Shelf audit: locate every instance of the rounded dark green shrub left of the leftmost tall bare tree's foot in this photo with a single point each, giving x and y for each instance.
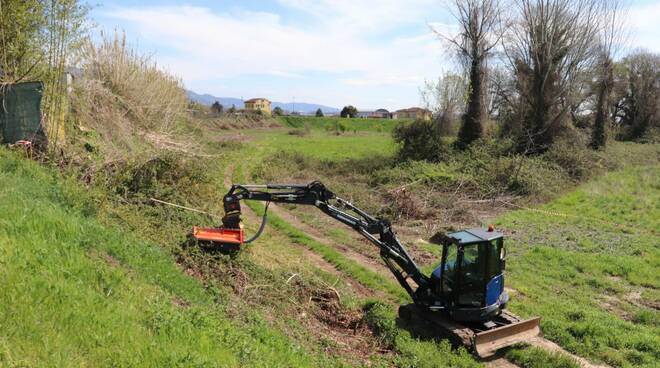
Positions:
(420, 140)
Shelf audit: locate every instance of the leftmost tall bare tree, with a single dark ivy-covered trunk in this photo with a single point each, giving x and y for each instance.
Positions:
(480, 30)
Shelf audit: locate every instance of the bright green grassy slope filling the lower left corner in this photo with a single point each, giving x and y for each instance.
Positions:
(75, 293)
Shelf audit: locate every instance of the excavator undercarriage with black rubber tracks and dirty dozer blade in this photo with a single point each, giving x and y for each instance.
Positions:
(483, 339)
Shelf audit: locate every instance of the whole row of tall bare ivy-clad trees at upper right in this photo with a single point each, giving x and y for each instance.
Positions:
(538, 70)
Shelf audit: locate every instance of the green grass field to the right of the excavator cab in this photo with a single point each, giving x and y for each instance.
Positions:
(588, 264)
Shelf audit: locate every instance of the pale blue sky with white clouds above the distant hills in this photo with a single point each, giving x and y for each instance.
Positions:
(368, 53)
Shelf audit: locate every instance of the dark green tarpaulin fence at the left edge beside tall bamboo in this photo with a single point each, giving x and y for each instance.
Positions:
(20, 112)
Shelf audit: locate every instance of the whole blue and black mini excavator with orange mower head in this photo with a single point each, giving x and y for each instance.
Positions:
(464, 297)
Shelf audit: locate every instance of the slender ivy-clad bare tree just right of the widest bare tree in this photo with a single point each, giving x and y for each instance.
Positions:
(610, 40)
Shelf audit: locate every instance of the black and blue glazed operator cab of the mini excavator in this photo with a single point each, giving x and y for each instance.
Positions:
(470, 277)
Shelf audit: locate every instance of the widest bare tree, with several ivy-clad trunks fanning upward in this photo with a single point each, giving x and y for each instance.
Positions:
(549, 47)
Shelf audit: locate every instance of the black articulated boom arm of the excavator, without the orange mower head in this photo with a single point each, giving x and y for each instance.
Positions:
(377, 231)
